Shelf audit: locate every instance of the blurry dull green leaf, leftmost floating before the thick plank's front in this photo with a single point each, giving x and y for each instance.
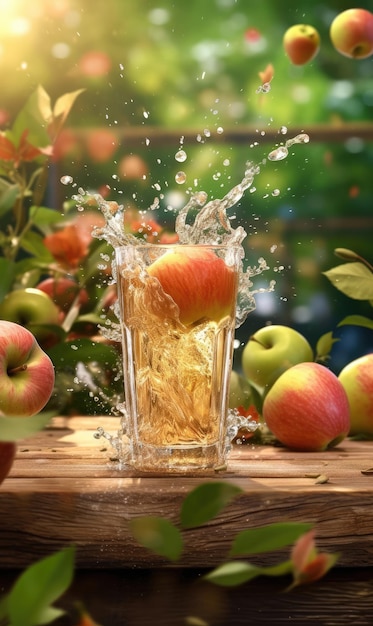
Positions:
(158, 535)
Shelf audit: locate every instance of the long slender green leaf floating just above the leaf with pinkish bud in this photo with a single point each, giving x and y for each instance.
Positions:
(267, 538)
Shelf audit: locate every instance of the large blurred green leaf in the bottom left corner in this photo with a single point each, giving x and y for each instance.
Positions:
(38, 587)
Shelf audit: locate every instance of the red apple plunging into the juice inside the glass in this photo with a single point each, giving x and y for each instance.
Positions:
(201, 284)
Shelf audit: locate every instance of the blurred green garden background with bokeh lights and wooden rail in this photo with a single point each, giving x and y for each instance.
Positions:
(163, 75)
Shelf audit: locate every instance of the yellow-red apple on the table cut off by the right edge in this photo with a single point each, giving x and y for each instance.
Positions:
(357, 380)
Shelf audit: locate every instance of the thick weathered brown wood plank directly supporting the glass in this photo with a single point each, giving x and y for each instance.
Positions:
(63, 489)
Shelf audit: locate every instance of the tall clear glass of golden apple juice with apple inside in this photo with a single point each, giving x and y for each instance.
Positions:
(177, 351)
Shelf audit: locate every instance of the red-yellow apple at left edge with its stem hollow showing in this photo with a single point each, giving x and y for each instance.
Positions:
(26, 372)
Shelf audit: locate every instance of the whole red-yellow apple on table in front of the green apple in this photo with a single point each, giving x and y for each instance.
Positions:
(307, 408)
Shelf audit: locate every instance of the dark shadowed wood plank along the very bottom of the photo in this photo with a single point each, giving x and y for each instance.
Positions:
(174, 597)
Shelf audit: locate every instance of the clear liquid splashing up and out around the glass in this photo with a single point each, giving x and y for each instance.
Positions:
(198, 222)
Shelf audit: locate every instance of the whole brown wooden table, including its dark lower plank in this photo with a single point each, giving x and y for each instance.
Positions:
(64, 489)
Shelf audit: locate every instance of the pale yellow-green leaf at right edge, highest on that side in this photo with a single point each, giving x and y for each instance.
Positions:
(355, 280)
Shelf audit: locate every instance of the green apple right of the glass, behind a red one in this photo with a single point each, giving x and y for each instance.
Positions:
(271, 351)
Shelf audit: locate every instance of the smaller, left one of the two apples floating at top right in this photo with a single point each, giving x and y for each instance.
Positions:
(301, 43)
